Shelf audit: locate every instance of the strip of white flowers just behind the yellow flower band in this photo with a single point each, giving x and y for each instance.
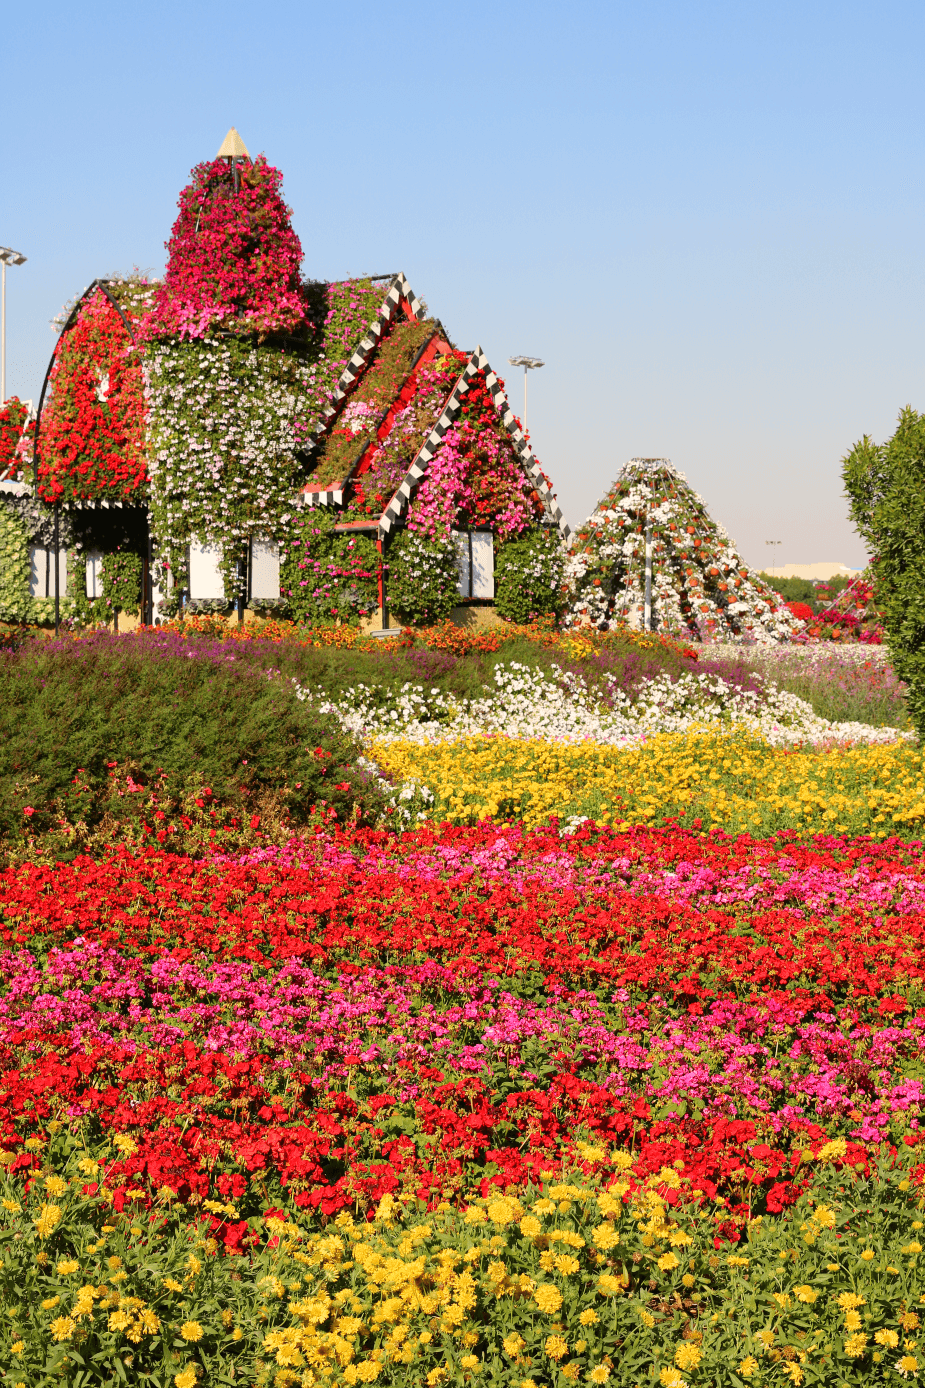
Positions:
(528, 704)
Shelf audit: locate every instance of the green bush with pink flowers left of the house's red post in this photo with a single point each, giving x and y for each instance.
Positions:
(326, 577)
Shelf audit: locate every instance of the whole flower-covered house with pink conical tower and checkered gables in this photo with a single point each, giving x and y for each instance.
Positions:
(237, 435)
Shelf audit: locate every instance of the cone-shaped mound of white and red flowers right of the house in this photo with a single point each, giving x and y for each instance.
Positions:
(652, 546)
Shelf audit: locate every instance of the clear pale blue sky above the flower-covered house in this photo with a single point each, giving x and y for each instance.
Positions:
(708, 219)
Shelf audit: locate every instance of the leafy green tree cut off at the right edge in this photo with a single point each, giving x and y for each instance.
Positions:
(885, 485)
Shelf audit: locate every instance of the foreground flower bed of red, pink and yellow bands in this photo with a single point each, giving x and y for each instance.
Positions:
(691, 1067)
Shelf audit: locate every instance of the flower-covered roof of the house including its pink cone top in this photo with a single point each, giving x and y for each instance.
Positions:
(367, 388)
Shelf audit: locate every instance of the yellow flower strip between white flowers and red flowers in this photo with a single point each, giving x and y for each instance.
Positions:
(734, 782)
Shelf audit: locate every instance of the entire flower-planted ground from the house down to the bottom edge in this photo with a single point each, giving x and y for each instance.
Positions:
(527, 1104)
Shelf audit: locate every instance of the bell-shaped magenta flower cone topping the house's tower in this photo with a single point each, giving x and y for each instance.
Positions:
(234, 257)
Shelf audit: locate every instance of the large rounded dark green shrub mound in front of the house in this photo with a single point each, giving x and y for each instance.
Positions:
(192, 716)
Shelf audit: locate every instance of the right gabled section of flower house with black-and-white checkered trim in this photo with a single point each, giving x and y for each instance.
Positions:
(420, 455)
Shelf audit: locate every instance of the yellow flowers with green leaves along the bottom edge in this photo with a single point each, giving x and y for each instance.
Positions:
(569, 1283)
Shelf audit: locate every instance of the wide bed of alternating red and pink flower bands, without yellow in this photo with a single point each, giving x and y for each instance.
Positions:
(458, 1008)
